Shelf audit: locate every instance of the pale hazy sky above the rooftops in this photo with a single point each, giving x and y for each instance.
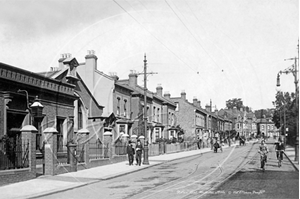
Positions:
(211, 49)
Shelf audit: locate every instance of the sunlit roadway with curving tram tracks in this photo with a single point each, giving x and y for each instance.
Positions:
(184, 178)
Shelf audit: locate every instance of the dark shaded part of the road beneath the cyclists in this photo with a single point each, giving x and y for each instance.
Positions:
(251, 182)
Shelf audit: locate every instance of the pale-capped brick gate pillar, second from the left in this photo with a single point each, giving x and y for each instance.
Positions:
(50, 153)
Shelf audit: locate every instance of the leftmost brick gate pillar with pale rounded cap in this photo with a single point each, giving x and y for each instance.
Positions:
(28, 134)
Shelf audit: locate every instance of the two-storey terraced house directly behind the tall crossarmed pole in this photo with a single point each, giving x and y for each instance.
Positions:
(160, 111)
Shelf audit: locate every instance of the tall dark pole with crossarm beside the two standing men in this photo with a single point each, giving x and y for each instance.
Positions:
(145, 73)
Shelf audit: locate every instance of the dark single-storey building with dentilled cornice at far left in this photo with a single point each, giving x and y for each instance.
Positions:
(56, 97)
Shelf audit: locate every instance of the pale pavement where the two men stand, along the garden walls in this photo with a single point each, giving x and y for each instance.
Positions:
(46, 185)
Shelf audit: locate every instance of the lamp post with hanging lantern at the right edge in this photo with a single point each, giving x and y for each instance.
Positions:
(293, 69)
